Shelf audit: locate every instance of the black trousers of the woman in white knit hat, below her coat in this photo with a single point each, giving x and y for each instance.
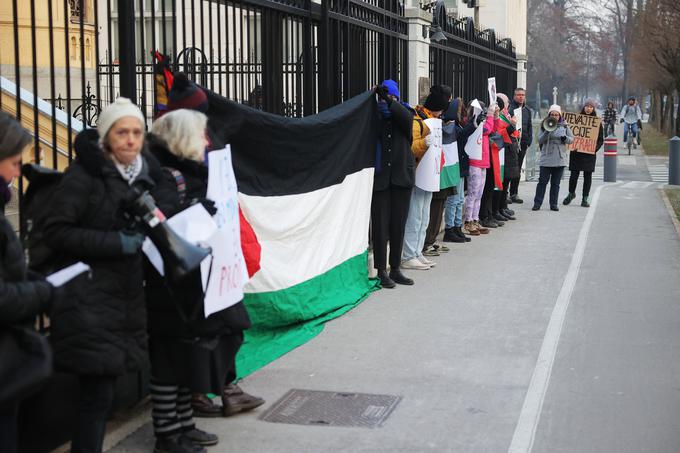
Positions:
(96, 399)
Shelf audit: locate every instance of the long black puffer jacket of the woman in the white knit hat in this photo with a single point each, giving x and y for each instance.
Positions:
(100, 328)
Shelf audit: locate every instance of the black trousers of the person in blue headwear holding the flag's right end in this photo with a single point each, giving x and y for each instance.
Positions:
(389, 211)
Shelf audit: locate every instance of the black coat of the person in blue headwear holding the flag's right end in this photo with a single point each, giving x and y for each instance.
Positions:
(395, 164)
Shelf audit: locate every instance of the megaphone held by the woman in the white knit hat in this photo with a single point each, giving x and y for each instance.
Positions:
(180, 258)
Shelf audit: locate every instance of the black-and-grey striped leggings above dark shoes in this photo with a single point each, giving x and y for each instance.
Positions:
(171, 413)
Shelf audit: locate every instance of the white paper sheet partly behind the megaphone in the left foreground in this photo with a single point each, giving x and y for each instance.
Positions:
(194, 225)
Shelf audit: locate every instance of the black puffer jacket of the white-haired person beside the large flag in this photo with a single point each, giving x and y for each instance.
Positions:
(164, 318)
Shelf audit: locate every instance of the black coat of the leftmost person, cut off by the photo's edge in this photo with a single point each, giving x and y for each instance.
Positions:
(20, 299)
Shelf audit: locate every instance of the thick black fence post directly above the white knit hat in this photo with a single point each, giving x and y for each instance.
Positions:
(126, 49)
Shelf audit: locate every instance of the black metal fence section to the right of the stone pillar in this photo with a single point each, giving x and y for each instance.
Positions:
(469, 57)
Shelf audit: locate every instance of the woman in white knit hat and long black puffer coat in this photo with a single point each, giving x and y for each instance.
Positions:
(99, 331)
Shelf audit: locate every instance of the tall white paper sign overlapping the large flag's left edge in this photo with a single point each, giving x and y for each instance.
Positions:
(228, 272)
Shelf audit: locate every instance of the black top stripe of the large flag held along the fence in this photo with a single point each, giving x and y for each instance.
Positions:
(275, 155)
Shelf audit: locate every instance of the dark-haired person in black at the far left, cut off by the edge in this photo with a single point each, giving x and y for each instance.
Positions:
(22, 296)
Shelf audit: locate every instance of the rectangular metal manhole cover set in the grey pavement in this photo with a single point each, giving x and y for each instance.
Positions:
(311, 407)
